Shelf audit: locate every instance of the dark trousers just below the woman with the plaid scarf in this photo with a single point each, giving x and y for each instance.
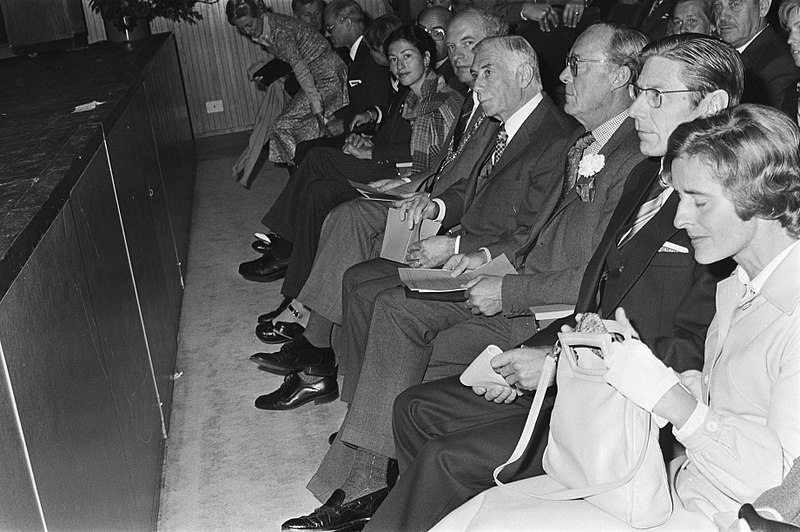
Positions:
(317, 186)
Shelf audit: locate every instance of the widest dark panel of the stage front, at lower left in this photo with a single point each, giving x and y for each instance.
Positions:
(61, 386)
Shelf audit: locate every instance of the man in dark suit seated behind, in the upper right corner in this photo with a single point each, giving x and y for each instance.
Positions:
(771, 75)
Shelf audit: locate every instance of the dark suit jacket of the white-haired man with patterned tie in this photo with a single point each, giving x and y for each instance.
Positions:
(499, 213)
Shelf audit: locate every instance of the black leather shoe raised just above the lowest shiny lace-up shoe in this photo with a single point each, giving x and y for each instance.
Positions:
(298, 354)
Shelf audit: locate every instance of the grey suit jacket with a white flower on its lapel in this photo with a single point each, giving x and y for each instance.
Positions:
(561, 242)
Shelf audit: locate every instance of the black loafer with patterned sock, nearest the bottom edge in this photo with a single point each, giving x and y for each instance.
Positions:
(333, 516)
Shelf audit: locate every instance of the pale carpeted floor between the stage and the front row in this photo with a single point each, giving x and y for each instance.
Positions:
(230, 466)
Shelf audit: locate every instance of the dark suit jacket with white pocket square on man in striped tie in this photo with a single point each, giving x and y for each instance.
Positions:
(668, 296)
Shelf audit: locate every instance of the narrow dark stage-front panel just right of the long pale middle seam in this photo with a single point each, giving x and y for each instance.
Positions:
(148, 234)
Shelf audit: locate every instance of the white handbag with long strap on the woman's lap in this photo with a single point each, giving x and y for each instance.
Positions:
(601, 446)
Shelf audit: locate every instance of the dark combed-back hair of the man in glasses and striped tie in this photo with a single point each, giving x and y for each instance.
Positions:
(707, 64)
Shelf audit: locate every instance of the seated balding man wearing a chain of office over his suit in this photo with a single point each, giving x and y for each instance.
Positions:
(353, 232)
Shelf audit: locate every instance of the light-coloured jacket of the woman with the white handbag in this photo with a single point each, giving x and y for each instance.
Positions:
(751, 383)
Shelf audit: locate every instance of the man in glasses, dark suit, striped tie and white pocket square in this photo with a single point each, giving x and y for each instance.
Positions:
(449, 439)
